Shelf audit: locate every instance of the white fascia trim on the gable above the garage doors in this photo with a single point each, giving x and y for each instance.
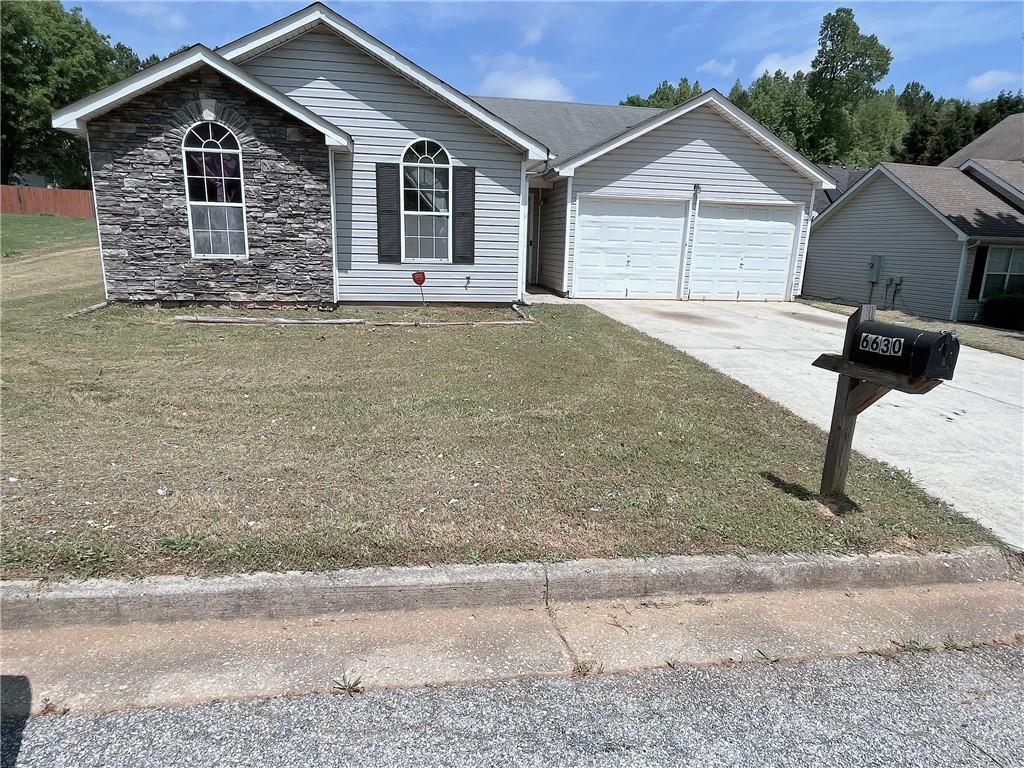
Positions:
(728, 110)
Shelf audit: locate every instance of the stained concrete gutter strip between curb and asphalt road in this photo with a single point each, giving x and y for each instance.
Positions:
(102, 668)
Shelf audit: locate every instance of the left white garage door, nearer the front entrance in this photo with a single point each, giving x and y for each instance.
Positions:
(629, 249)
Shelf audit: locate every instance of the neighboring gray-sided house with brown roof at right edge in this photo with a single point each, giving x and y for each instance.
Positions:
(933, 241)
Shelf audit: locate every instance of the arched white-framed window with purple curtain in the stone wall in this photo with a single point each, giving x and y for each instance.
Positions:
(217, 204)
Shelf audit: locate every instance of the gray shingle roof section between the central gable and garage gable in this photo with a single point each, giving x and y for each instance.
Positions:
(568, 127)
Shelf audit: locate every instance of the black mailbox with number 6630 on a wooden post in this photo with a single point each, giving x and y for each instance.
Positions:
(919, 355)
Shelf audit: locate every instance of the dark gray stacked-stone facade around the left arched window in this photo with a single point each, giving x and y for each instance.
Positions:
(142, 208)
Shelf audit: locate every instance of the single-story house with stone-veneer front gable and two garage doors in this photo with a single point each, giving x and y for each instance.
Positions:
(310, 162)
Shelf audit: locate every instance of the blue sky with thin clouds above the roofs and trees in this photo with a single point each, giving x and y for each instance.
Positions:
(601, 53)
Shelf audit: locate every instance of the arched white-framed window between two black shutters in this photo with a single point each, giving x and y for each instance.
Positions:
(426, 195)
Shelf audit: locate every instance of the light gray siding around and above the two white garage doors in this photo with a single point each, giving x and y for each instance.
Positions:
(700, 148)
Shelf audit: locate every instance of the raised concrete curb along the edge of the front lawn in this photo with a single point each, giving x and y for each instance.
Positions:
(31, 606)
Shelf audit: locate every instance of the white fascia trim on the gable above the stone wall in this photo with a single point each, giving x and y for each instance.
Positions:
(74, 117)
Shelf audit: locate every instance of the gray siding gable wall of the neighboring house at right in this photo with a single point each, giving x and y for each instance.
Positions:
(884, 221)
